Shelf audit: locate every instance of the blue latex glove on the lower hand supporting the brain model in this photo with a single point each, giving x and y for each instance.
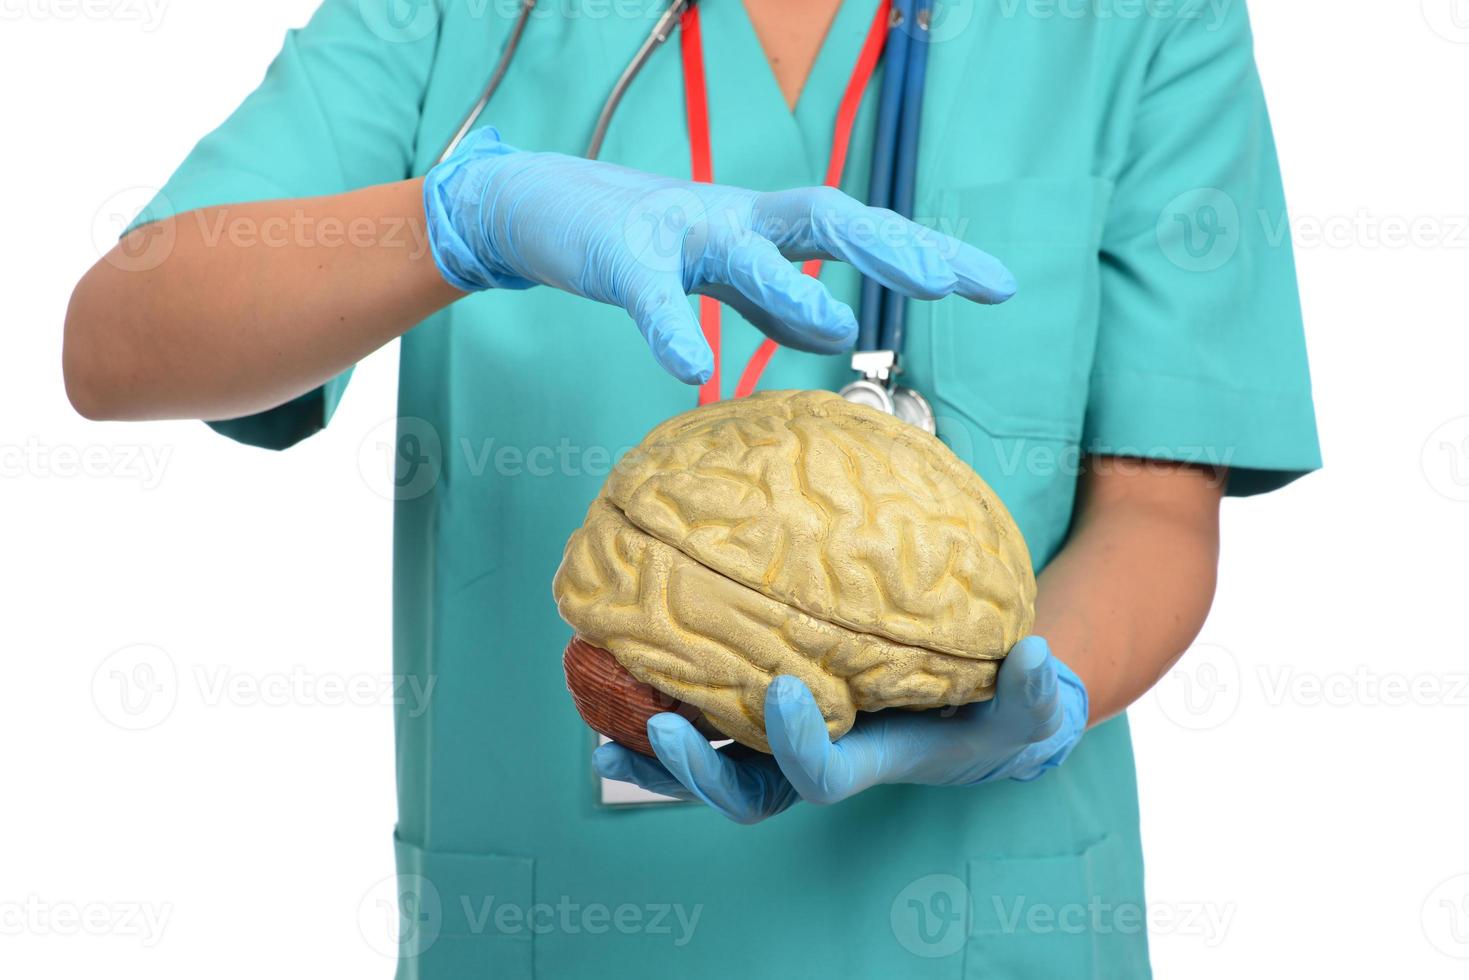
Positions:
(1036, 718)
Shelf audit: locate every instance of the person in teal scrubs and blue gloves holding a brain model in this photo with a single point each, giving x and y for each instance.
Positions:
(1119, 162)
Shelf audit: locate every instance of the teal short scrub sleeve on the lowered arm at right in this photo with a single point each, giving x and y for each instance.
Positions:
(1201, 352)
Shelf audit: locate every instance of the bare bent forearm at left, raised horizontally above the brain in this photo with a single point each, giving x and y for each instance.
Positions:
(230, 311)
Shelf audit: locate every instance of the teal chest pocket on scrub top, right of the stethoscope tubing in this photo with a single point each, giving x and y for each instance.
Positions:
(1022, 370)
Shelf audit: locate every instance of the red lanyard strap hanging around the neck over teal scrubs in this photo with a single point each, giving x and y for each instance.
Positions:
(697, 102)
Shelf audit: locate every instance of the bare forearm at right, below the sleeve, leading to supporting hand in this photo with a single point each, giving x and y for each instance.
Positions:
(1133, 586)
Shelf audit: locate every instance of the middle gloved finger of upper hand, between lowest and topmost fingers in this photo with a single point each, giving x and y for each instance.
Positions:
(794, 309)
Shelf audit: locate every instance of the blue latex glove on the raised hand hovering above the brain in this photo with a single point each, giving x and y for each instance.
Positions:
(505, 218)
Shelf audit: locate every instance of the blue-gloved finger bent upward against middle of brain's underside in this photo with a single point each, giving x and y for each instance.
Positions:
(820, 771)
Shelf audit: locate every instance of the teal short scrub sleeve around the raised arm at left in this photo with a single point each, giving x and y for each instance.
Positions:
(339, 109)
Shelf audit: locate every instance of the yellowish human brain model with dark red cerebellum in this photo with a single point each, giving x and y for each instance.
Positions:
(788, 534)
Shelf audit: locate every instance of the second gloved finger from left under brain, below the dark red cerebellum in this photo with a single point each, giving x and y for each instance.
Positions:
(746, 791)
